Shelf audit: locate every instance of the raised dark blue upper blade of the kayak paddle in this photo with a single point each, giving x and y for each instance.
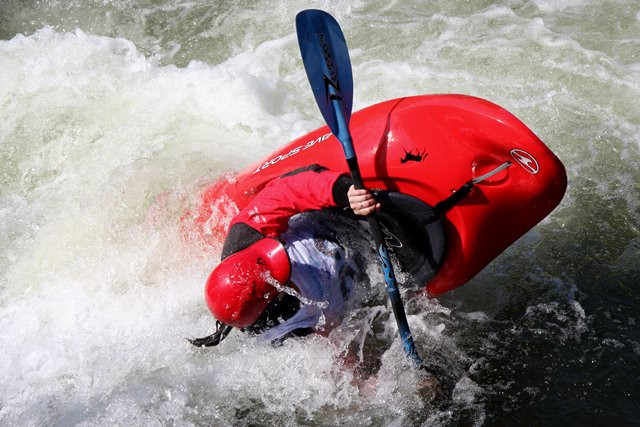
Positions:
(326, 61)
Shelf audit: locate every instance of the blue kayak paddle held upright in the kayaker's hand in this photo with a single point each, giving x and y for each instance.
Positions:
(326, 61)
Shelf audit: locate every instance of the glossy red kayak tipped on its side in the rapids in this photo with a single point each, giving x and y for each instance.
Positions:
(459, 179)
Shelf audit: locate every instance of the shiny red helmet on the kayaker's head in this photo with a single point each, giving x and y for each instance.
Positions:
(237, 290)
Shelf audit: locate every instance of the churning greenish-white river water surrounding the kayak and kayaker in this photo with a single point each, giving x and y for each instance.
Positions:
(114, 113)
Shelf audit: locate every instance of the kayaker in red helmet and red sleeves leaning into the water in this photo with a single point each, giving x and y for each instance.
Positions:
(281, 274)
